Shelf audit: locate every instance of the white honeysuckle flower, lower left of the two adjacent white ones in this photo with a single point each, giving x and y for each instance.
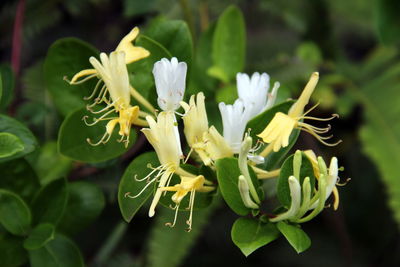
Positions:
(234, 120)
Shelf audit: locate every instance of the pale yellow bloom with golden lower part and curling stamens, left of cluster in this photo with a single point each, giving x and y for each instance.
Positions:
(112, 71)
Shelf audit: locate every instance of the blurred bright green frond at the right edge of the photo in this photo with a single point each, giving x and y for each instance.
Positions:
(380, 134)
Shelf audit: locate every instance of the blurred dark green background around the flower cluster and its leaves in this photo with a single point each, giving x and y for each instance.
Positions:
(353, 44)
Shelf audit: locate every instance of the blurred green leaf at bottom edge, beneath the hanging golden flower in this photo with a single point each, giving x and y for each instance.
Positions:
(167, 246)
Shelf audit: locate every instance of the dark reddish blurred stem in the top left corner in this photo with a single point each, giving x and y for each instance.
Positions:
(17, 34)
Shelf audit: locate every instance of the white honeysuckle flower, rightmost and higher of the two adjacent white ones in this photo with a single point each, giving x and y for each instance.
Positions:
(254, 92)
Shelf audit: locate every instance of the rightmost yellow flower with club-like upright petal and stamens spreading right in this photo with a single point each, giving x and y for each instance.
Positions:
(278, 131)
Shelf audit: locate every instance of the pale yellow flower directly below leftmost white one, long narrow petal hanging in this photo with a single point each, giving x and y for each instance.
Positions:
(161, 135)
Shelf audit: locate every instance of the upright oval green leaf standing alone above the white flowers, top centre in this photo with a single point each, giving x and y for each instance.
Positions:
(229, 47)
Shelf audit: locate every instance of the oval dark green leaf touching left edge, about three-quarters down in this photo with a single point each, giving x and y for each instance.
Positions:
(15, 215)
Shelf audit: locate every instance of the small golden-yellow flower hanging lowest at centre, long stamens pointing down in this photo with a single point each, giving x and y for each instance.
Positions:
(187, 185)
